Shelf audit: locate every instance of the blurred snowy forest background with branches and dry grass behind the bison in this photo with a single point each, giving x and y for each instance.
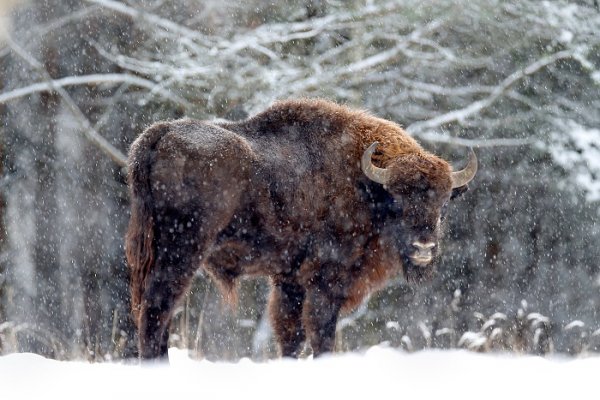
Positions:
(517, 80)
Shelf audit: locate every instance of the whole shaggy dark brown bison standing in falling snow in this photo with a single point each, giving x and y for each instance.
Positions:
(327, 201)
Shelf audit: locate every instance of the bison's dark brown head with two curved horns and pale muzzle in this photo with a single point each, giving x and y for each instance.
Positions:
(420, 186)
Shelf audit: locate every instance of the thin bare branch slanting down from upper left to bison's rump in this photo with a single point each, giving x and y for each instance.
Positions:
(88, 130)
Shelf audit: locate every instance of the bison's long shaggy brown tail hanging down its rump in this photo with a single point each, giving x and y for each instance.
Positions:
(139, 246)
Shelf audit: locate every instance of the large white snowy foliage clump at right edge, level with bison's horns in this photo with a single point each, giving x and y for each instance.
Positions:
(577, 149)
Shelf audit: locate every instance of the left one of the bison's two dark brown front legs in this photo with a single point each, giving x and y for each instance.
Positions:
(285, 308)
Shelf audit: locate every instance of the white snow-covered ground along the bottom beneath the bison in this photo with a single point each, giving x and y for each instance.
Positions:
(376, 374)
